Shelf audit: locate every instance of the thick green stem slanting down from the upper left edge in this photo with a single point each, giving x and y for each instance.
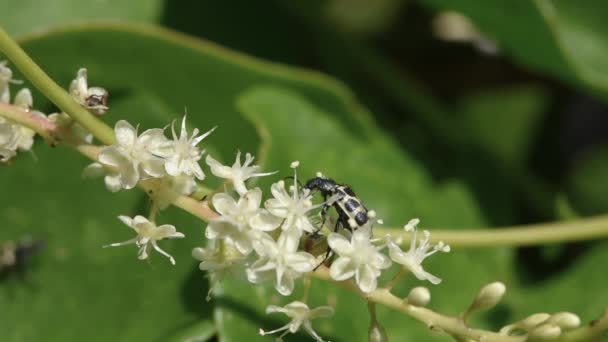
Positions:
(53, 91)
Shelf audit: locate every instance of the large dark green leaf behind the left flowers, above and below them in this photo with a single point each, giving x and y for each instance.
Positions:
(152, 75)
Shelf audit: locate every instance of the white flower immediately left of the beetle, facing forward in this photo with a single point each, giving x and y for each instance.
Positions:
(292, 208)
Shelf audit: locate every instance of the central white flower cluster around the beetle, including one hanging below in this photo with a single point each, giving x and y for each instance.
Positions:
(275, 232)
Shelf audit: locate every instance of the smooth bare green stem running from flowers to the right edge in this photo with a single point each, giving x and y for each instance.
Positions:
(525, 235)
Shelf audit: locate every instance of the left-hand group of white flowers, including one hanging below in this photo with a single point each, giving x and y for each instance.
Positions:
(147, 156)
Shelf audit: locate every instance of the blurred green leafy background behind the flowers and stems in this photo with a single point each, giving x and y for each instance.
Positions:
(467, 114)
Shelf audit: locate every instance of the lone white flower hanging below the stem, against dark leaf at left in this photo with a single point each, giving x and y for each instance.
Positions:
(148, 233)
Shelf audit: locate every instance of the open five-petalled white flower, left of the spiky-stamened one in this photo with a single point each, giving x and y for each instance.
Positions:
(133, 156)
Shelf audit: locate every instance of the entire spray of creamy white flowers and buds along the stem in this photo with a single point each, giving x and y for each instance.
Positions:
(269, 239)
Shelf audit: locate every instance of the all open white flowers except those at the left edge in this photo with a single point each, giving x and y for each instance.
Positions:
(266, 237)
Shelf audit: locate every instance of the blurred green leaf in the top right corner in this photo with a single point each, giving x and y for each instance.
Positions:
(558, 37)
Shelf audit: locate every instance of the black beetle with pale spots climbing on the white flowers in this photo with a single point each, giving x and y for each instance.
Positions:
(352, 214)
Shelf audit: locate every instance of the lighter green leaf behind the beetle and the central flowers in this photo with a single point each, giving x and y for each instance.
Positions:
(388, 180)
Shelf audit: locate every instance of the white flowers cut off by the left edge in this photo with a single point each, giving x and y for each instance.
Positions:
(14, 137)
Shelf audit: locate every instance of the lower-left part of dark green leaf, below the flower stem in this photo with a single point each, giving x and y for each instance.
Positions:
(75, 289)
